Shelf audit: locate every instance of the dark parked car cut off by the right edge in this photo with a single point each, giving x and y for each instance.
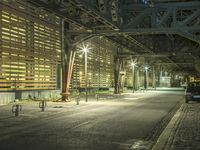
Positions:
(192, 92)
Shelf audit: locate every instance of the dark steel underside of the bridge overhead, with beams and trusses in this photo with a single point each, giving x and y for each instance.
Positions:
(170, 28)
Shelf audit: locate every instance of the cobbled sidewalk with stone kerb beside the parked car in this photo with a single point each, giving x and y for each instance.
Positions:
(183, 131)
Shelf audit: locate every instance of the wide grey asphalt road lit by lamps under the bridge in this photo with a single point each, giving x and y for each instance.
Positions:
(133, 121)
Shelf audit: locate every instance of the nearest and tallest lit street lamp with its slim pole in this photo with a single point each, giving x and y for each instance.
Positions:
(85, 49)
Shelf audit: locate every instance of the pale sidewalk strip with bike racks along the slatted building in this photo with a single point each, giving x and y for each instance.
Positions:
(30, 109)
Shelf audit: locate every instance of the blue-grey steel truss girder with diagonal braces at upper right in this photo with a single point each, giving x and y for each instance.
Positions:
(174, 18)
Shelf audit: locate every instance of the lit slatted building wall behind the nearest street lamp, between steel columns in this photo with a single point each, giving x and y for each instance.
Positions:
(100, 64)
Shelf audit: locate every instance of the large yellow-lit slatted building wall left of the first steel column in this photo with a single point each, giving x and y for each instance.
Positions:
(30, 47)
